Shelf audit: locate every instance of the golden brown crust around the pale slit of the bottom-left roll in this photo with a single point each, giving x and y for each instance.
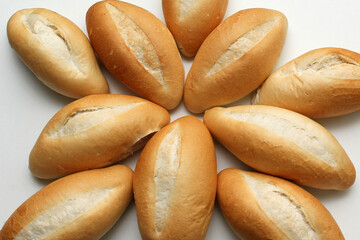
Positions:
(95, 221)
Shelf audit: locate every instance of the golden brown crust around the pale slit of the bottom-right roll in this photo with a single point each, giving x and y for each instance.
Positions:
(248, 219)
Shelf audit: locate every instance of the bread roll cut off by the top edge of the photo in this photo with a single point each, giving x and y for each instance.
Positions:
(191, 21)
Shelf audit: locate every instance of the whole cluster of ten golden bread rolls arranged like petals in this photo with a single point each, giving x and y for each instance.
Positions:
(175, 181)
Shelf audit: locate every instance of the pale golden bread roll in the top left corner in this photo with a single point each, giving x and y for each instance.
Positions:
(57, 52)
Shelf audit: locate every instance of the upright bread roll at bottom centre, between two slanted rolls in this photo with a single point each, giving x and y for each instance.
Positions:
(175, 182)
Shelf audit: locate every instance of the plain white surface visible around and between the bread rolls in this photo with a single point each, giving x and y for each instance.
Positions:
(26, 104)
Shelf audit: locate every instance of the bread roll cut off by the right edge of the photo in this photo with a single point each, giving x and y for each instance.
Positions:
(321, 83)
